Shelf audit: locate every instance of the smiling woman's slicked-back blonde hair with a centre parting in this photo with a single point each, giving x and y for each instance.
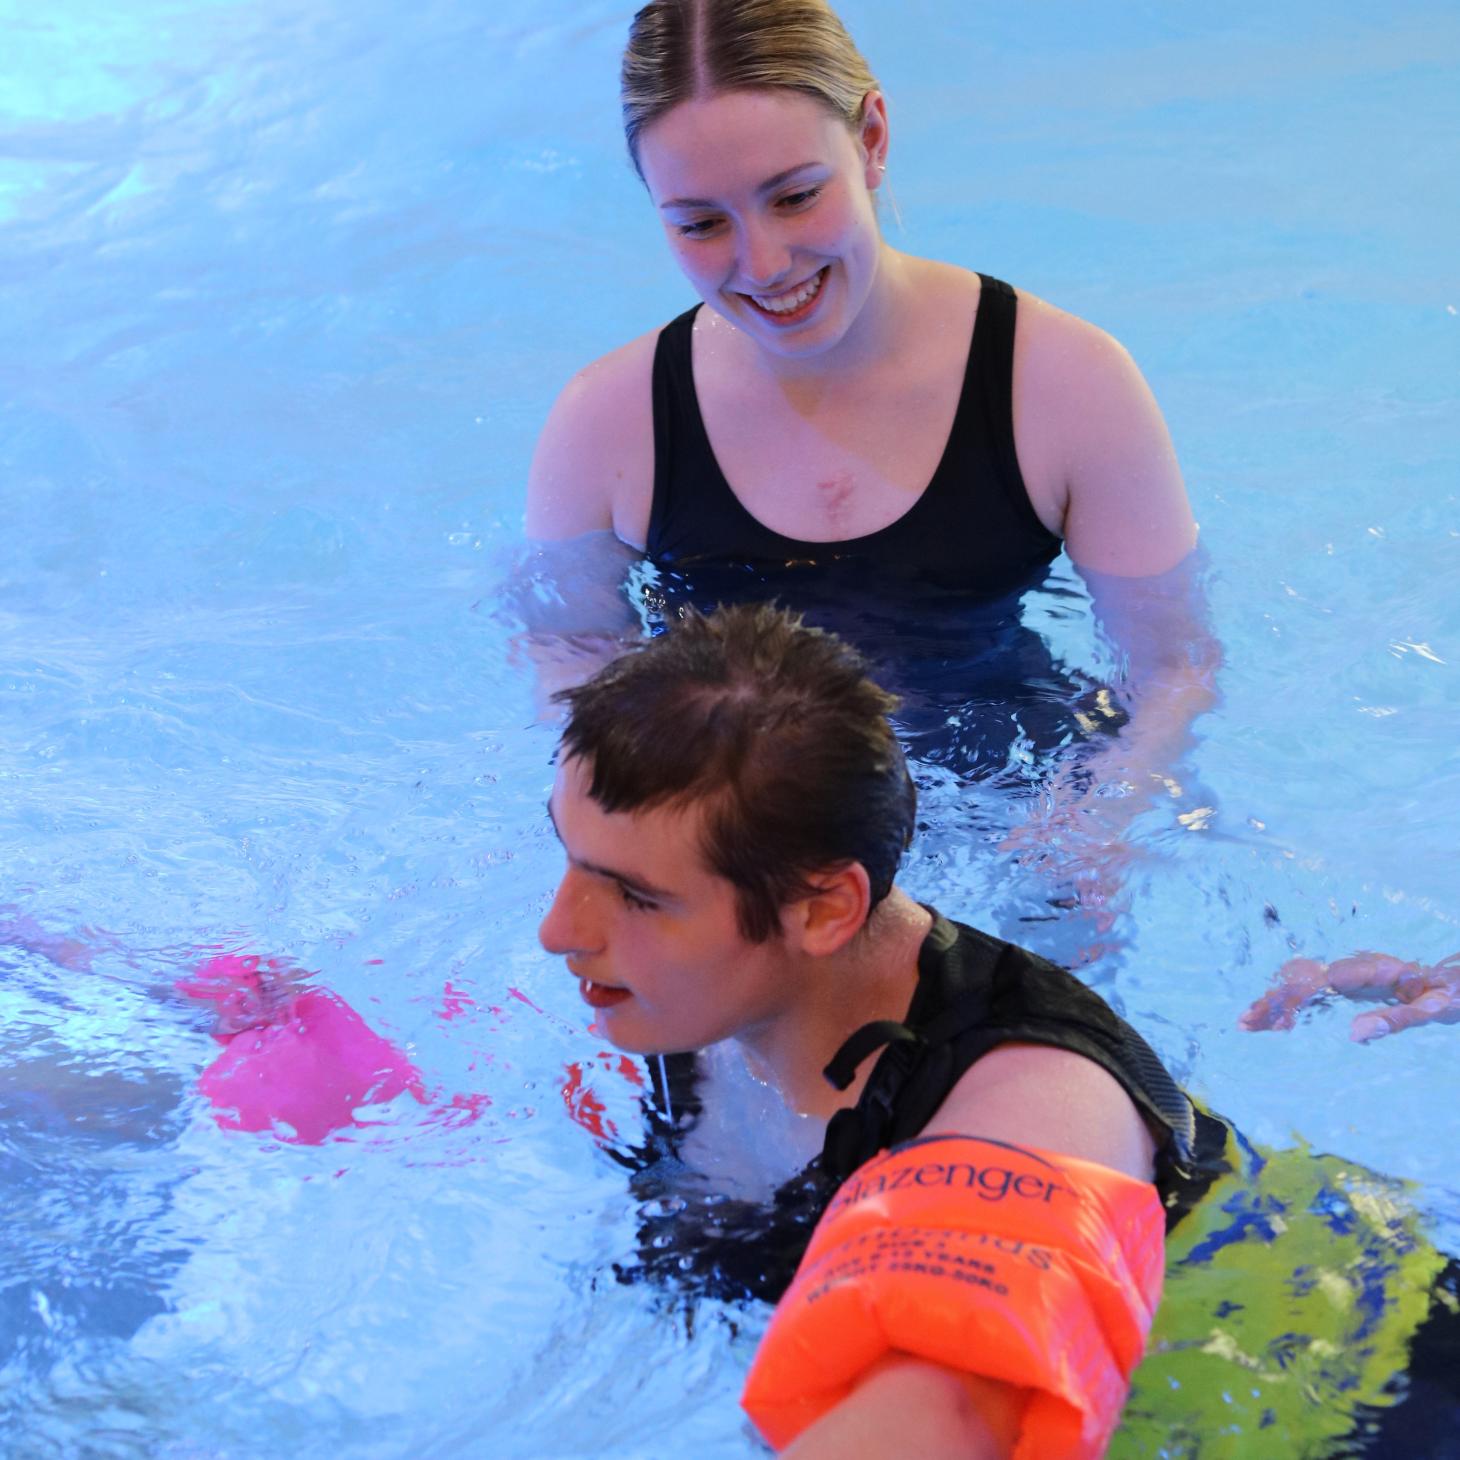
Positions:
(685, 49)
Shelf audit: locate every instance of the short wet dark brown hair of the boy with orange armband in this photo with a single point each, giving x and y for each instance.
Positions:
(776, 729)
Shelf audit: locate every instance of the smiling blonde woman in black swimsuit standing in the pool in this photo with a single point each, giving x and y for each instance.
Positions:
(834, 401)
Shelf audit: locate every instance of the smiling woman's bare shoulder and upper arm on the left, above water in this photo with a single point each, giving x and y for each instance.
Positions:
(593, 468)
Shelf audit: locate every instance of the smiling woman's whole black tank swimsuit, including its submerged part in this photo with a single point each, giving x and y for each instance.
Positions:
(932, 601)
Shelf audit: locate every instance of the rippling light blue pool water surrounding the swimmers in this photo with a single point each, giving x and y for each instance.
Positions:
(285, 293)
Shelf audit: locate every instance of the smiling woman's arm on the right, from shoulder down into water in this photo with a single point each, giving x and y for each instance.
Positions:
(1102, 471)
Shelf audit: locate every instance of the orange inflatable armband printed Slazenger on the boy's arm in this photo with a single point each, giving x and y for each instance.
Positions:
(1021, 1267)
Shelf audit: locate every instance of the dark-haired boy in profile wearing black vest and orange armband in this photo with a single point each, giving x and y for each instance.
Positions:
(734, 805)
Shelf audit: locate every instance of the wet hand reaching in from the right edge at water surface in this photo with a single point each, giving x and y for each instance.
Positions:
(1413, 994)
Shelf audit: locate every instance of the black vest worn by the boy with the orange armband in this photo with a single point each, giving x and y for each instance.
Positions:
(975, 994)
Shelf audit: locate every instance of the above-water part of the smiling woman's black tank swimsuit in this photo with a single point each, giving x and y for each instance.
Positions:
(973, 529)
